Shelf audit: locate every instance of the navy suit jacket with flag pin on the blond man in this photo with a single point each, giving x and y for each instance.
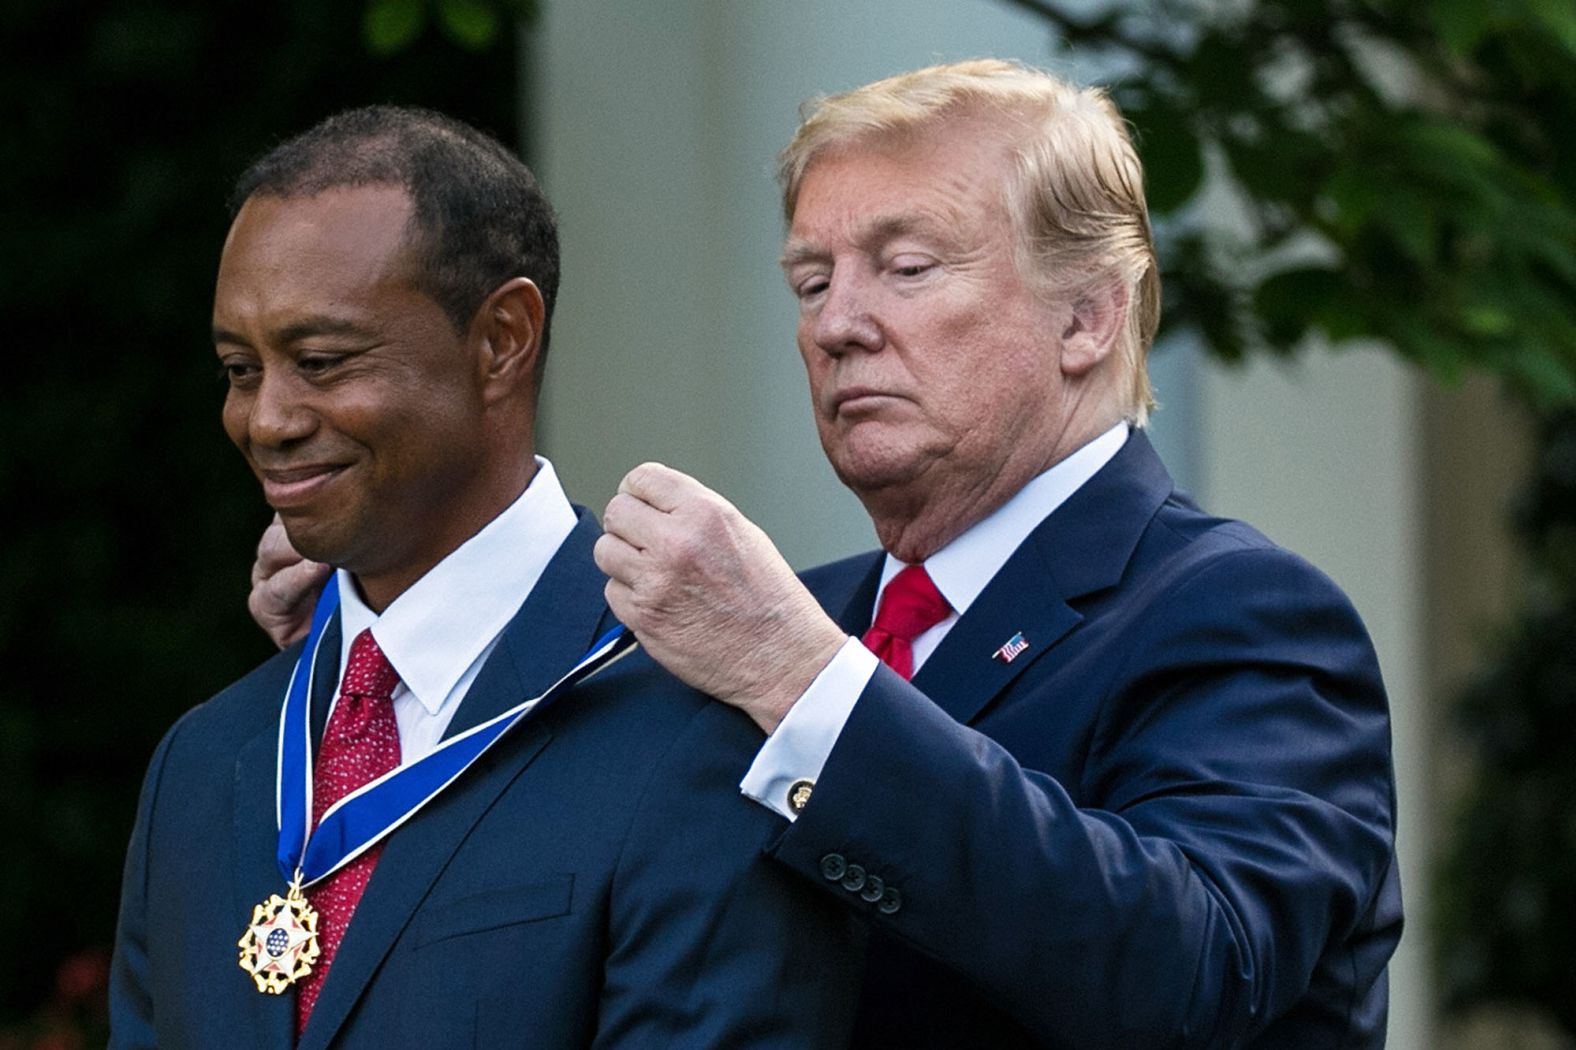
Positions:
(1167, 824)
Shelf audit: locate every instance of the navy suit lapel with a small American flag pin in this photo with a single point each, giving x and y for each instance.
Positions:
(1080, 549)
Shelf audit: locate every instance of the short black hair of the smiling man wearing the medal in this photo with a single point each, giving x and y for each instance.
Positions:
(478, 217)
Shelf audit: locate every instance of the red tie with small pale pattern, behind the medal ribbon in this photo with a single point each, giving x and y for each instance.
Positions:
(360, 745)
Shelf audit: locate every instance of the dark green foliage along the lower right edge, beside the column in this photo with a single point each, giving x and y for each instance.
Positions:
(1507, 903)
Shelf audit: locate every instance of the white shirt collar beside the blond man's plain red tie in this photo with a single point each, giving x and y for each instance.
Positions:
(968, 564)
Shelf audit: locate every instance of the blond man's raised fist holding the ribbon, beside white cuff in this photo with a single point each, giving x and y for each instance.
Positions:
(708, 595)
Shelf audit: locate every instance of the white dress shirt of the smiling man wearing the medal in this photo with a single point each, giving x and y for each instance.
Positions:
(445, 627)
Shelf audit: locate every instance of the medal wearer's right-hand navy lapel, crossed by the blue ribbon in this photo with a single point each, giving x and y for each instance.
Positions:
(552, 631)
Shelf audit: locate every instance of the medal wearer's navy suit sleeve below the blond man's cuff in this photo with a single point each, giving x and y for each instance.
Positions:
(715, 945)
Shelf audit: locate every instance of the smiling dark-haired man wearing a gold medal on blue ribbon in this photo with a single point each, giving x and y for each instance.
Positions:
(428, 860)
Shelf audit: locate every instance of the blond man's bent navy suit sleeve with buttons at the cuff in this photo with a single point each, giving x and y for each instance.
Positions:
(1235, 816)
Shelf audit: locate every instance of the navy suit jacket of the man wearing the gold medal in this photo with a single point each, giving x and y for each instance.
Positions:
(593, 881)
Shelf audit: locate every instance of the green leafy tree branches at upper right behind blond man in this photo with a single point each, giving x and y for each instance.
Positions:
(1403, 171)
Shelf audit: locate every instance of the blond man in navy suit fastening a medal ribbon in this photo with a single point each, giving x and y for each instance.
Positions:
(1121, 775)
